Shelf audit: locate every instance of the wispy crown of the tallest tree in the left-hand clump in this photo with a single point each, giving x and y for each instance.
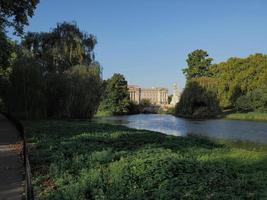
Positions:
(63, 47)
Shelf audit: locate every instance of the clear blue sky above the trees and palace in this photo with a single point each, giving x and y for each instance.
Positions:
(148, 40)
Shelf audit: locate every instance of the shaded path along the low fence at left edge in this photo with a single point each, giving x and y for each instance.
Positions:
(11, 165)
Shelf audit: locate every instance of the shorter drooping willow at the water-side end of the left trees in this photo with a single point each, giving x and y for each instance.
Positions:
(83, 84)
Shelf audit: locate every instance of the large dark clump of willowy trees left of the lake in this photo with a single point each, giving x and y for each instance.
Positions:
(53, 74)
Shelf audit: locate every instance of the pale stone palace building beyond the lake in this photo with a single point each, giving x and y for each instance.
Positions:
(157, 95)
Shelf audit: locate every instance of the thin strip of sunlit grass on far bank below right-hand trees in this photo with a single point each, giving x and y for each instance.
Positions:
(248, 116)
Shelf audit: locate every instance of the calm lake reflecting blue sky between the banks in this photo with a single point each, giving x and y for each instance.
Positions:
(219, 128)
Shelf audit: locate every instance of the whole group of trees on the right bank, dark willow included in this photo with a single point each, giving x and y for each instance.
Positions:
(239, 85)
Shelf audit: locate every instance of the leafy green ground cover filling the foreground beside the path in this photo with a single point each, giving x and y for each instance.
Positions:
(83, 160)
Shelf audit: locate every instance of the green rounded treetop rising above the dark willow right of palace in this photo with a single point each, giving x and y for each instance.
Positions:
(198, 64)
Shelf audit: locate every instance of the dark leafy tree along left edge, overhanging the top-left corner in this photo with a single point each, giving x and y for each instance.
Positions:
(13, 14)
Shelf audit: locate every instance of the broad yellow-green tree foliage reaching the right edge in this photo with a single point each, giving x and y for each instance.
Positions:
(240, 76)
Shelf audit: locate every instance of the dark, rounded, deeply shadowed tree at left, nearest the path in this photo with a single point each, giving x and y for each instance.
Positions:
(25, 93)
